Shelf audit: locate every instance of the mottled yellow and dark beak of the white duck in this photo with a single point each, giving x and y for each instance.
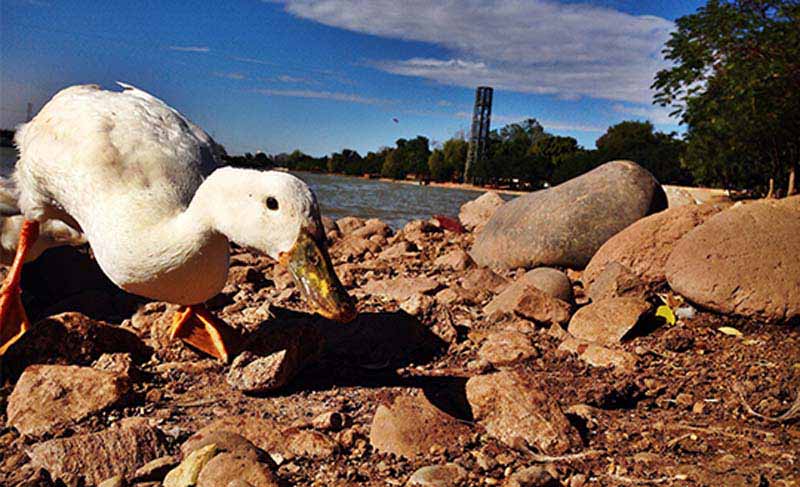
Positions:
(310, 265)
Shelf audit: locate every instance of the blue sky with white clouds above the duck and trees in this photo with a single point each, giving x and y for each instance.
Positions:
(320, 75)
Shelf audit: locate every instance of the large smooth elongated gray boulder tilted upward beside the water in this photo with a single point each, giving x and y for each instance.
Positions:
(566, 224)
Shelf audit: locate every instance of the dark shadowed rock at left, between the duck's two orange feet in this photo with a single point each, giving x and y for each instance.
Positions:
(71, 338)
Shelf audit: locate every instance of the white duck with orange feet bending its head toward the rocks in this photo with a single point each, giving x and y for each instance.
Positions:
(143, 185)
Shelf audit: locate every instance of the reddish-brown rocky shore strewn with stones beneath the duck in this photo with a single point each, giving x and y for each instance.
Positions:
(453, 374)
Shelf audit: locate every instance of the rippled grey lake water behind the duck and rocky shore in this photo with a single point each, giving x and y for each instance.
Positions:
(394, 203)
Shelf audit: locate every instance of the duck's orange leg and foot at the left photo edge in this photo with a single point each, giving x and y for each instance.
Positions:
(13, 320)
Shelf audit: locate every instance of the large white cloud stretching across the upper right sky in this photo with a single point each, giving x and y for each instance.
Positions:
(531, 46)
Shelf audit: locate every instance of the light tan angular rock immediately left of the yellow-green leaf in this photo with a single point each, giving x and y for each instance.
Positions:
(609, 321)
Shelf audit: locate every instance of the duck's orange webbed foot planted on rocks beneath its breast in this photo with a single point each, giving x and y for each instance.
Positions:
(200, 328)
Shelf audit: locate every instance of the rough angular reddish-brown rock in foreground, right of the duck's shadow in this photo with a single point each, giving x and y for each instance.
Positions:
(512, 408)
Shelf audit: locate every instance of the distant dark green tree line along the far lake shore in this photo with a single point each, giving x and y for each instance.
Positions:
(521, 155)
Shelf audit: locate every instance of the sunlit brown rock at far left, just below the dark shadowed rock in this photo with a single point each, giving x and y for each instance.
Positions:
(48, 397)
